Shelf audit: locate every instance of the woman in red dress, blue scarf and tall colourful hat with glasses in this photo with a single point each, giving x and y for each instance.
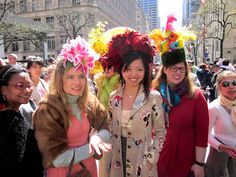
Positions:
(186, 113)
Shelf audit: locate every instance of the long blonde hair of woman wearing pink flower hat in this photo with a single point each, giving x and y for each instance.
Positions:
(56, 87)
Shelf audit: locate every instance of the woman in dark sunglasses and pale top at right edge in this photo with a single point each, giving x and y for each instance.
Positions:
(222, 128)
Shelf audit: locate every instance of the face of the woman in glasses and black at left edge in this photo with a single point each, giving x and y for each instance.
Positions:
(19, 89)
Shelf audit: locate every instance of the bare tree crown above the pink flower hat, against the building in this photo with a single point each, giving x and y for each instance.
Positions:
(72, 22)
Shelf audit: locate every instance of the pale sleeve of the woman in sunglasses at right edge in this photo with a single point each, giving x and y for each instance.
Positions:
(212, 120)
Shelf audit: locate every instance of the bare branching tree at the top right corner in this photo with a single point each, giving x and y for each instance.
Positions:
(218, 16)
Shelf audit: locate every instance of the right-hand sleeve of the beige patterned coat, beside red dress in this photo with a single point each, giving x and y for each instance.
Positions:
(159, 130)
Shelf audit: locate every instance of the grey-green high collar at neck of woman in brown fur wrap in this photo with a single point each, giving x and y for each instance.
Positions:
(73, 104)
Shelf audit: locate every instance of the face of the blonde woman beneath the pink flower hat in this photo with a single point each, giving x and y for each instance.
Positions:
(74, 82)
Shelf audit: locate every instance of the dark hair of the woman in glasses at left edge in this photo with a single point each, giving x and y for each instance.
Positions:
(6, 74)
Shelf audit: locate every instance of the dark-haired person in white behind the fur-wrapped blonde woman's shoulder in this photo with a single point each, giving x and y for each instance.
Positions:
(34, 67)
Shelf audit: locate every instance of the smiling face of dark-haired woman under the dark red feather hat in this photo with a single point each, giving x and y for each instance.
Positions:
(134, 73)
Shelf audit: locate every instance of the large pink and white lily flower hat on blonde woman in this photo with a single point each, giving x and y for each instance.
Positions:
(78, 53)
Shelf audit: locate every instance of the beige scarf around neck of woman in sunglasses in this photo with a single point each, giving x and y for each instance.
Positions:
(230, 105)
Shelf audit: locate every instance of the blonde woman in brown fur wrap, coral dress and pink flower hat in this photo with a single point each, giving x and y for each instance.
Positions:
(70, 123)
